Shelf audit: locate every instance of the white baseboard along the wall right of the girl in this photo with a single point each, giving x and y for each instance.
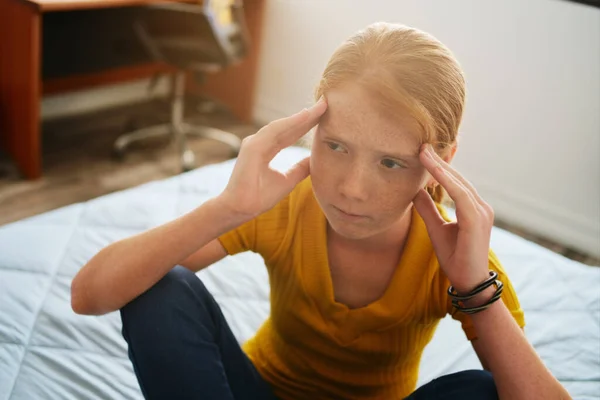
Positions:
(543, 218)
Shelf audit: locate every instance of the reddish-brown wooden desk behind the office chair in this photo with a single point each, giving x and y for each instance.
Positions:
(21, 86)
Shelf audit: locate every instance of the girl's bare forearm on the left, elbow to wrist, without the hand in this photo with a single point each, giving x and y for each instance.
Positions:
(125, 269)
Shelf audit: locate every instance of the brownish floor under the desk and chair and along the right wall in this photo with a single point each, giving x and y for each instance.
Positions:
(78, 165)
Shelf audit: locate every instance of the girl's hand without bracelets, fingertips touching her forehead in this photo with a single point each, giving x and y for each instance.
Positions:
(254, 187)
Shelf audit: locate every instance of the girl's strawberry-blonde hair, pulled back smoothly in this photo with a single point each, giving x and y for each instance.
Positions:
(408, 71)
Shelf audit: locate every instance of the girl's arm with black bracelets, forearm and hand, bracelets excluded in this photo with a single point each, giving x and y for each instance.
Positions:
(462, 249)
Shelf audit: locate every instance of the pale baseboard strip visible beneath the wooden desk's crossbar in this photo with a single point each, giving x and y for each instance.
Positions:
(90, 100)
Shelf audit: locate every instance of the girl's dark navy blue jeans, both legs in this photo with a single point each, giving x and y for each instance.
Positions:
(181, 347)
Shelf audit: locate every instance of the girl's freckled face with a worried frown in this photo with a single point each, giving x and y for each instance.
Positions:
(365, 168)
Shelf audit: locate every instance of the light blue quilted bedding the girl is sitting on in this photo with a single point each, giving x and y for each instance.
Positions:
(49, 352)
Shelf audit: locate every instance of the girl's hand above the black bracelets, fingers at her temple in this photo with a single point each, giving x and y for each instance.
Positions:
(462, 247)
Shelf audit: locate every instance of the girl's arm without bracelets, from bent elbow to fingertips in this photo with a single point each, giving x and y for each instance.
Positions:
(127, 268)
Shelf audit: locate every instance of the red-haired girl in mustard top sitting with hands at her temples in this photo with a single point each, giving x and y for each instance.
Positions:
(362, 260)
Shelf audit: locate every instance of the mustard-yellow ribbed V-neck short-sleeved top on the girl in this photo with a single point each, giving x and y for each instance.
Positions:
(312, 347)
